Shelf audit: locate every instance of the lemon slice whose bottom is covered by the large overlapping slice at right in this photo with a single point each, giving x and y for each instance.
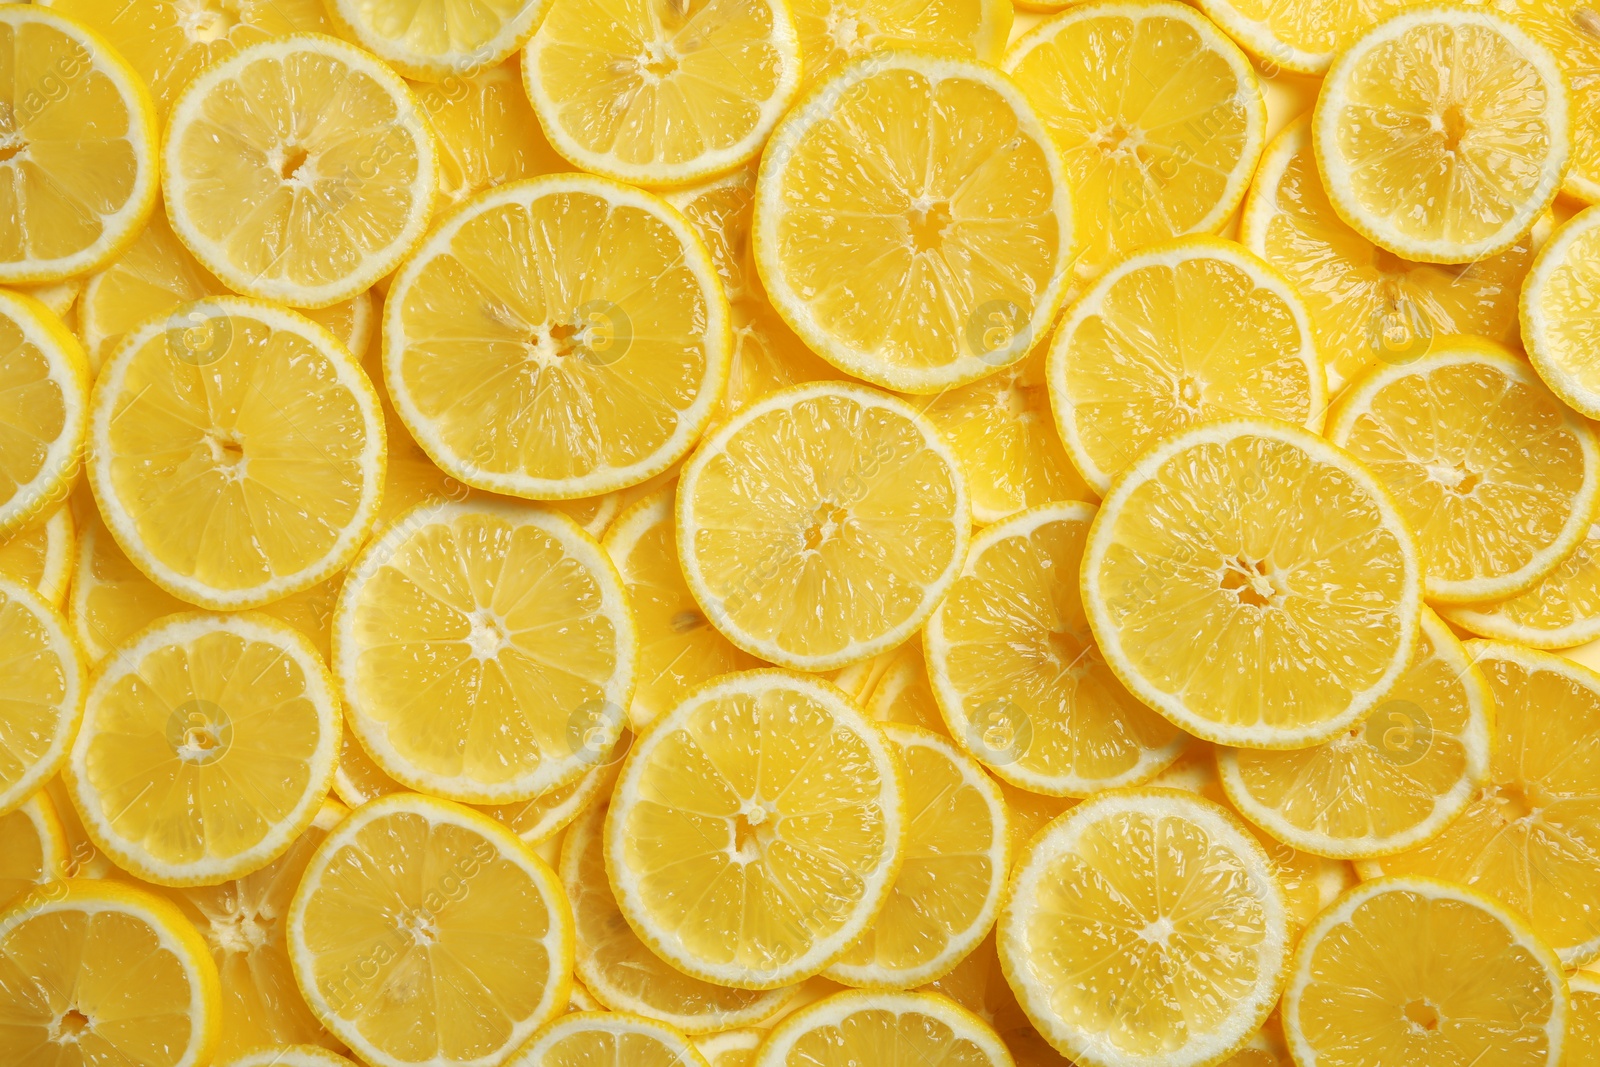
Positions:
(1188, 332)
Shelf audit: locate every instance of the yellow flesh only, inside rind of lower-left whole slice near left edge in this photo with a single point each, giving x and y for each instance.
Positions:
(182, 810)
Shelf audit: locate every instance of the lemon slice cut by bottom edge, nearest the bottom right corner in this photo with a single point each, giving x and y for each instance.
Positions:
(1409, 970)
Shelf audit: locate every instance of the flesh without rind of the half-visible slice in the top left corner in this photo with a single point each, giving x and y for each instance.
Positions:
(78, 161)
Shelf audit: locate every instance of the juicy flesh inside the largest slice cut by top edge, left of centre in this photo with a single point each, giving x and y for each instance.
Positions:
(660, 82)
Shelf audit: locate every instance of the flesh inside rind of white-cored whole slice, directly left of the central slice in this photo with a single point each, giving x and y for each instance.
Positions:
(420, 623)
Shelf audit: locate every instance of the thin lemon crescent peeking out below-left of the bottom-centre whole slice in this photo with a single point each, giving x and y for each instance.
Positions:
(623, 973)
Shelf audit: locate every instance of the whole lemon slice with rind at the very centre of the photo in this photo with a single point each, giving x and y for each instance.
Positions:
(822, 526)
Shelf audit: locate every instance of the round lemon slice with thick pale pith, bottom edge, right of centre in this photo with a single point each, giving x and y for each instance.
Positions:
(1145, 927)
